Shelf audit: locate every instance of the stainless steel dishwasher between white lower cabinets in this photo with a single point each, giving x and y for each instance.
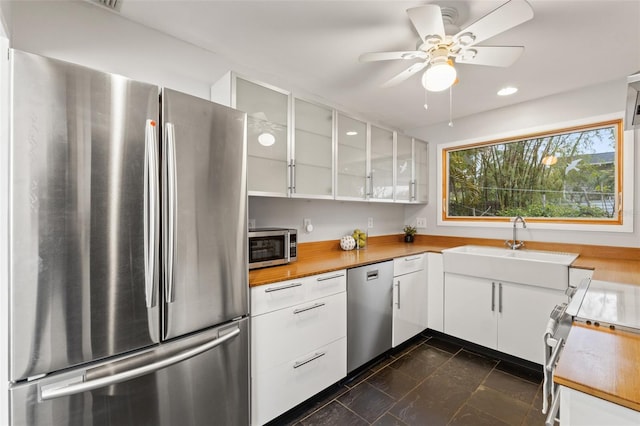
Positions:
(369, 312)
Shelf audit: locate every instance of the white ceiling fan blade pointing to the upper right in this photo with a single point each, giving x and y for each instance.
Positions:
(509, 15)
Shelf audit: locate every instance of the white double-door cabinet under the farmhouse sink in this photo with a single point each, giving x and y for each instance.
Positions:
(508, 317)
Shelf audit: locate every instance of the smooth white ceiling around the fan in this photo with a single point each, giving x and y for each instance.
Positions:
(316, 44)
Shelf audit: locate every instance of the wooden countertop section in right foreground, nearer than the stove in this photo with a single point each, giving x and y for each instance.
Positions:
(602, 363)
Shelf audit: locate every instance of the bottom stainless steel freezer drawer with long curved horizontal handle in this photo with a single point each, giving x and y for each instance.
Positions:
(209, 388)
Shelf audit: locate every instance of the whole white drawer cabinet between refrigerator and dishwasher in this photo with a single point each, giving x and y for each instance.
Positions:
(298, 342)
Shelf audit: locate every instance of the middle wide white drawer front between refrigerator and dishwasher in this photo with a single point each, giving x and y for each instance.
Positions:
(292, 332)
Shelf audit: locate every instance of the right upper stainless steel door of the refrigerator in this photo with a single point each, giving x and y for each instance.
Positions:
(204, 213)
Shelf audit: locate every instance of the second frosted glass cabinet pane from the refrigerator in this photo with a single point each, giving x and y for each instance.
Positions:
(313, 153)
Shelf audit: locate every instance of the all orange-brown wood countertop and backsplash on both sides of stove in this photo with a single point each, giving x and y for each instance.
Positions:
(601, 363)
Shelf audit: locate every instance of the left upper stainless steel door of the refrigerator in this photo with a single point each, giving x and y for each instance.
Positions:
(78, 198)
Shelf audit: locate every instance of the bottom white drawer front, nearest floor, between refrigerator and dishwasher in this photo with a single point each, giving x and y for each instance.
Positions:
(283, 387)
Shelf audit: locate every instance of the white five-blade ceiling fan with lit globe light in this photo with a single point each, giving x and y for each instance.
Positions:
(442, 43)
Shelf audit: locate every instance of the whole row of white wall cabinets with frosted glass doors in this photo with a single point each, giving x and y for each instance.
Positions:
(297, 148)
